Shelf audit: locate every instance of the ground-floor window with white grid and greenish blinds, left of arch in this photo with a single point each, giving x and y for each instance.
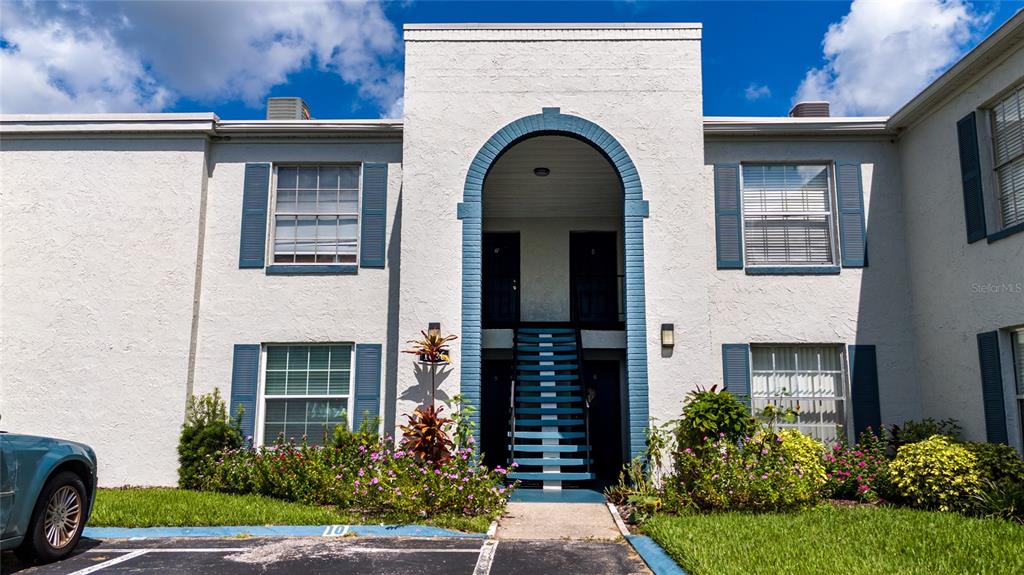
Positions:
(306, 391)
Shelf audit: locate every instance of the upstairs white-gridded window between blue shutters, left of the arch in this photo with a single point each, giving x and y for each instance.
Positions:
(316, 218)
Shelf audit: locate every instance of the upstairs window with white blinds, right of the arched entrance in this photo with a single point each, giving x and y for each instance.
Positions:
(788, 215)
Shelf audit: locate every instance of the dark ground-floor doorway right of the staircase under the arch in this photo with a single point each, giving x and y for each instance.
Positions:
(606, 419)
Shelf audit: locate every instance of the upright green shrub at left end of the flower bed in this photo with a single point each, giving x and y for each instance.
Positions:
(207, 432)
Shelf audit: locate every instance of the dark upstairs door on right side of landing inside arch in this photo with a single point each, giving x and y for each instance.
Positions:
(594, 280)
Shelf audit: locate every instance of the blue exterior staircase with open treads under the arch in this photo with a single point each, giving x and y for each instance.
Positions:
(549, 437)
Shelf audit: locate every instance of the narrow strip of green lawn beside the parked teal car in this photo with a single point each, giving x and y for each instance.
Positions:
(161, 507)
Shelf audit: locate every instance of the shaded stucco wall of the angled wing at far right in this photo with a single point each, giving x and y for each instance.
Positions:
(958, 290)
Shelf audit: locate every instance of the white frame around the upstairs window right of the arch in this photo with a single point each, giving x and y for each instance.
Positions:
(834, 242)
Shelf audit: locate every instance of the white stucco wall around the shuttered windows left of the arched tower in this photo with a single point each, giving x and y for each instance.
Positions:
(247, 306)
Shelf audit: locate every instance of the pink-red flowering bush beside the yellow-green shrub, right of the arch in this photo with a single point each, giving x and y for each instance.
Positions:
(859, 473)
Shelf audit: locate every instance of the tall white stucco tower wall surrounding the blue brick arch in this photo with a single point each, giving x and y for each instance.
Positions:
(644, 86)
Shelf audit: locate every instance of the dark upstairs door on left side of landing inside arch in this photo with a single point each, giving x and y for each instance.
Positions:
(501, 280)
